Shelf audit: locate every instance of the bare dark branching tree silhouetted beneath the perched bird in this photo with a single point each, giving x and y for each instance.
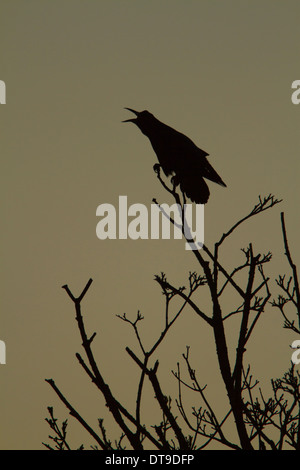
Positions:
(256, 419)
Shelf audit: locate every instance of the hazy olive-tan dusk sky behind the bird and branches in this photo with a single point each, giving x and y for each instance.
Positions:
(218, 71)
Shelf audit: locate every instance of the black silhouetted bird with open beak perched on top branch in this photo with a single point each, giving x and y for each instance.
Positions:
(178, 156)
